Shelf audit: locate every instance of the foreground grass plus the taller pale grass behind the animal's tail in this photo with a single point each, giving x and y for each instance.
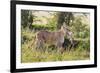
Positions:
(29, 54)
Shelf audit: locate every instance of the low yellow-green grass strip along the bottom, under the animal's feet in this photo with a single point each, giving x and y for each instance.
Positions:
(30, 55)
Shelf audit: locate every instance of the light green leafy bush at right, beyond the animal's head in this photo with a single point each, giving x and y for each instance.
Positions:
(81, 30)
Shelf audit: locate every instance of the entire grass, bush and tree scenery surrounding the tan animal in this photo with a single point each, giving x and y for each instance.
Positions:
(34, 21)
